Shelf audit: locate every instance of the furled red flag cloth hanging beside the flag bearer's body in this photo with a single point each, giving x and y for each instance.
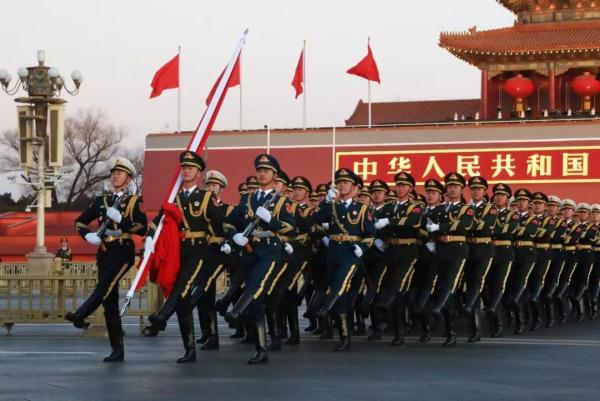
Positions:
(163, 264)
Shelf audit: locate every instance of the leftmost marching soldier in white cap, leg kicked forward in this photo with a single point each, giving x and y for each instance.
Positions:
(122, 215)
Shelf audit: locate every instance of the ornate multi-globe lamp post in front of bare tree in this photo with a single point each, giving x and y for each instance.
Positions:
(43, 85)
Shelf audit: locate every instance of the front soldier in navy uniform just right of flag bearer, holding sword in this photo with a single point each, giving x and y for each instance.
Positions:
(261, 247)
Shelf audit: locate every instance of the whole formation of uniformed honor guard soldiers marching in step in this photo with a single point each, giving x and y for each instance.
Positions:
(350, 252)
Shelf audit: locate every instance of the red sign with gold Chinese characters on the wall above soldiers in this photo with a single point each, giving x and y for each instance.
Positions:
(510, 165)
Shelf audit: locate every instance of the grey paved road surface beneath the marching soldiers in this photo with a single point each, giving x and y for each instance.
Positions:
(52, 362)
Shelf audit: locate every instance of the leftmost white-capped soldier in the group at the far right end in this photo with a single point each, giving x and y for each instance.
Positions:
(571, 237)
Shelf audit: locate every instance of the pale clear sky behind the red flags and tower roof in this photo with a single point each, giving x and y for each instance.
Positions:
(118, 45)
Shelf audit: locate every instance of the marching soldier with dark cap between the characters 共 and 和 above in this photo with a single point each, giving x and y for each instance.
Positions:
(525, 257)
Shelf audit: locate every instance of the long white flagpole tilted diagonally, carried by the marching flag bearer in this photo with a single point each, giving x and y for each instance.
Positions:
(199, 134)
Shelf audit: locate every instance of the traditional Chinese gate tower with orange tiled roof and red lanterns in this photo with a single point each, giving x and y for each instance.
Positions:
(546, 61)
